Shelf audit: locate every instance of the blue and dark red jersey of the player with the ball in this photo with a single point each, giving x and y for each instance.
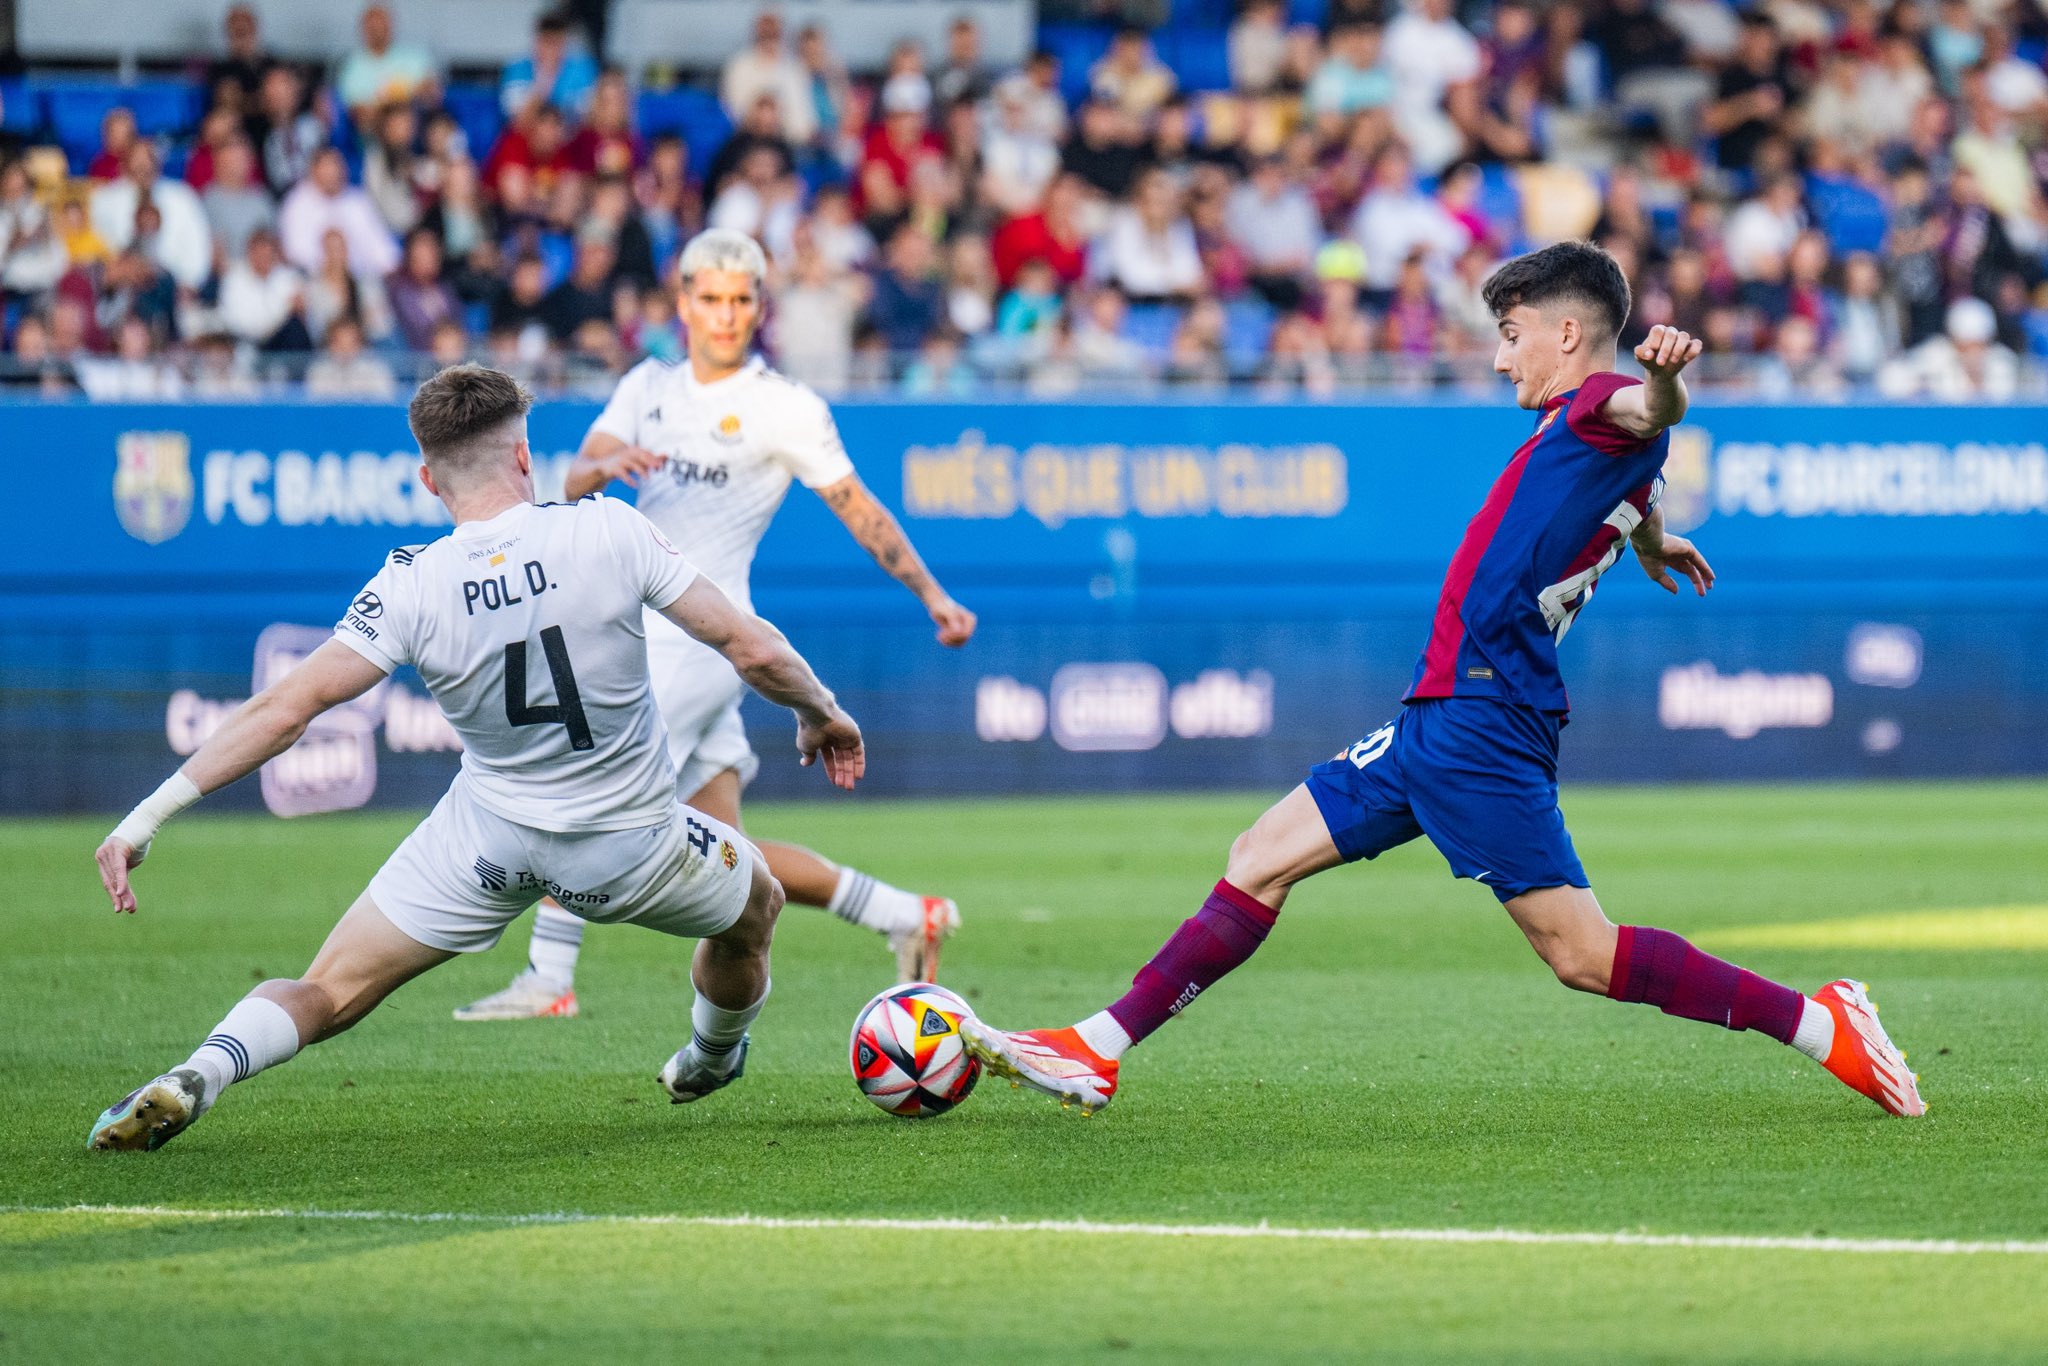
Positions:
(1555, 521)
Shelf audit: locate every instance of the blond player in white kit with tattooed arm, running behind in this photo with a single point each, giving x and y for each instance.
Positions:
(714, 445)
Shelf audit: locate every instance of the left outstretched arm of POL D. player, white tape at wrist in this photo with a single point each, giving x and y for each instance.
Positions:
(253, 736)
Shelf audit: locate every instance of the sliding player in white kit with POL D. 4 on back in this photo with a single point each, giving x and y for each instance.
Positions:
(529, 628)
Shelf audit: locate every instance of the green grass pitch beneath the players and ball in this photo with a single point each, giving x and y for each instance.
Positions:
(1394, 1060)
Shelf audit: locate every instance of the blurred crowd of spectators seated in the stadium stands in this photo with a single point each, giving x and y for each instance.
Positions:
(1836, 196)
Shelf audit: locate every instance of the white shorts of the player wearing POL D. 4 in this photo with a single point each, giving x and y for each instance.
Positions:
(466, 873)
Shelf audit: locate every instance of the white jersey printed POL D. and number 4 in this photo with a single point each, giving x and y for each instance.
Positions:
(529, 632)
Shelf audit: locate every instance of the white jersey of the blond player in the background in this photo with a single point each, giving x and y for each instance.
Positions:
(732, 452)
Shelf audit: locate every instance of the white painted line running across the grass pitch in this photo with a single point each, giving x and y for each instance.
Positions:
(1940, 1248)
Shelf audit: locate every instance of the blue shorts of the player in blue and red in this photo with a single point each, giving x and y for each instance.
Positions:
(1476, 775)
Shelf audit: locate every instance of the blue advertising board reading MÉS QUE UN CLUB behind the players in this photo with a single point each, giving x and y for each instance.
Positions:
(1172, 595)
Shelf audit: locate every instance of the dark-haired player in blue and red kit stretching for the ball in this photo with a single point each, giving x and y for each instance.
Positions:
(1471, 761)
